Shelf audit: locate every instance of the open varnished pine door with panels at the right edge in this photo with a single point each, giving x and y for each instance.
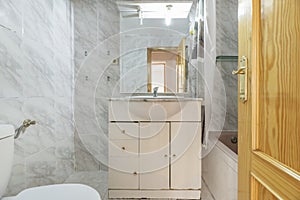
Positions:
(269, 126)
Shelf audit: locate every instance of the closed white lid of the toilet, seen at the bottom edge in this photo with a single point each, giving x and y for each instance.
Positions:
(59, 192)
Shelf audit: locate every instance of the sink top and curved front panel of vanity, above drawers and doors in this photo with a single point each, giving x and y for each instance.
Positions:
(154, 109)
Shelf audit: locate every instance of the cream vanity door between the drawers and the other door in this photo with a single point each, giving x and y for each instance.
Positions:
(154, 155)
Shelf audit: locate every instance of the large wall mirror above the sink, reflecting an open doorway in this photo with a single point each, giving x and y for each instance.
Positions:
(153, 46)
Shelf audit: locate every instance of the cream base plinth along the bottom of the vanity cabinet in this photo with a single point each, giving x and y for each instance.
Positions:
(174, 194)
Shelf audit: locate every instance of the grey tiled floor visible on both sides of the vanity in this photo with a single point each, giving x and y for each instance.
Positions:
(98, 180)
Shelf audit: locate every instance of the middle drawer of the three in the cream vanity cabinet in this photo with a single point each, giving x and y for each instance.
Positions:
(123, 147)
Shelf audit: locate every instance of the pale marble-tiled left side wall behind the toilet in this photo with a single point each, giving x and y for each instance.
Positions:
(36, 78)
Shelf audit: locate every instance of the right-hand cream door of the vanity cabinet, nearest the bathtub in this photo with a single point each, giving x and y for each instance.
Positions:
(185, 155)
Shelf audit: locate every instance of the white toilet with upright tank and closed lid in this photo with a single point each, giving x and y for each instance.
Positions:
(49, 192)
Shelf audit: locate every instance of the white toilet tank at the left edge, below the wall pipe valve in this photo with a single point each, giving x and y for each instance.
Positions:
(6, 155)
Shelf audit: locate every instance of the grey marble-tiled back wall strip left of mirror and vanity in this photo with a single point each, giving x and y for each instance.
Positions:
(96, 45)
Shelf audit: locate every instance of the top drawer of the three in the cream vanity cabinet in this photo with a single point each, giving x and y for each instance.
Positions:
(123, 131)
